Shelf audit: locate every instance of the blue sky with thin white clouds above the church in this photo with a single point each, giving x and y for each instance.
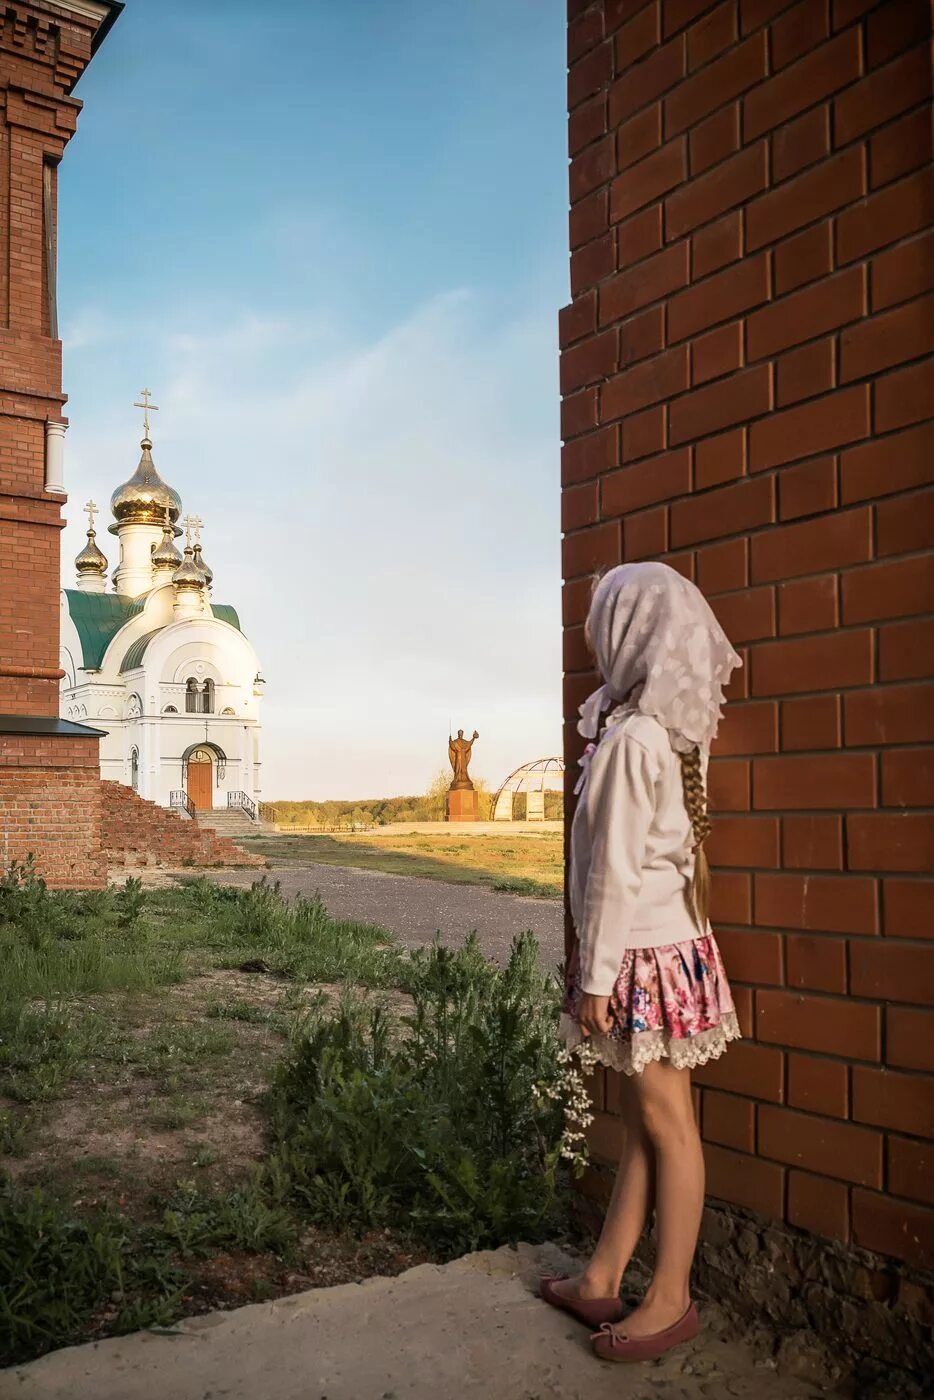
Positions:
(333, 241)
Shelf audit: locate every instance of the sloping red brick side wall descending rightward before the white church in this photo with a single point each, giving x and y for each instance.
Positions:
(141, 834)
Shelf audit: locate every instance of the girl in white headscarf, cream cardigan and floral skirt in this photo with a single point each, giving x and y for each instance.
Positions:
(648, 988)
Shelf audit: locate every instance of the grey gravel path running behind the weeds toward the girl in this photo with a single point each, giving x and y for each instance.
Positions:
(415, 909)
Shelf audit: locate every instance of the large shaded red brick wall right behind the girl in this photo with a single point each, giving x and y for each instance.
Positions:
(747, 394)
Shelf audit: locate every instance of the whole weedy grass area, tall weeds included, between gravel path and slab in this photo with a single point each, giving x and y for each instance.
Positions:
(190, 1077)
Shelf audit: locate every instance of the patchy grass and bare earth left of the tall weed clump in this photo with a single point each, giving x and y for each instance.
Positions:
(110, 1013)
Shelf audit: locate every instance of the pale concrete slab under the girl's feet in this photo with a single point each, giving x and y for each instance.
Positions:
(467, 1331)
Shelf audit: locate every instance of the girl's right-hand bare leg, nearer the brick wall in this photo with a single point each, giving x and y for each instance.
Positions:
(670, 1125)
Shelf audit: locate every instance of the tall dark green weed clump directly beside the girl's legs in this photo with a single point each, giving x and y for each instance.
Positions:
(443, 1130)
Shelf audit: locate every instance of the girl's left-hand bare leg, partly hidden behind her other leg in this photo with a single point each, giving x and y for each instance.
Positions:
(629, 1209)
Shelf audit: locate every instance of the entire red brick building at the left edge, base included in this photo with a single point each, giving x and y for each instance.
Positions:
(50, 776)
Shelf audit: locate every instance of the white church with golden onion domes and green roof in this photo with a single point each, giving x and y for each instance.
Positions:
(158, 664)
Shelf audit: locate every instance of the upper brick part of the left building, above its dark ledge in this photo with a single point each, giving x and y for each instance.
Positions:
(43, 54)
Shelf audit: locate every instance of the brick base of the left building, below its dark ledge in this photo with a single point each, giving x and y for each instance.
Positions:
(51, 808)
